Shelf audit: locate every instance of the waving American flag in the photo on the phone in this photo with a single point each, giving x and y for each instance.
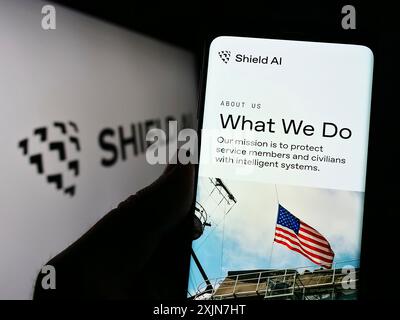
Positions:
(298, 236)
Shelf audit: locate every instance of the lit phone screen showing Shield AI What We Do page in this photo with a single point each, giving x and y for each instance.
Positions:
(281, 176)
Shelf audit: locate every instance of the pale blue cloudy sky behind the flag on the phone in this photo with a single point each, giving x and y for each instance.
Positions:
(248, 229)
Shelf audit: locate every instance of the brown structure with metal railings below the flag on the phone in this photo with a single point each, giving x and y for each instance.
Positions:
(287, 284)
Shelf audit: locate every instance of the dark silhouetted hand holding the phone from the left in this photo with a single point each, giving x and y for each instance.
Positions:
(138, 250)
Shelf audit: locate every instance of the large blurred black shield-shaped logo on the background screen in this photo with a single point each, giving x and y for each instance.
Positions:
(53, 152)
